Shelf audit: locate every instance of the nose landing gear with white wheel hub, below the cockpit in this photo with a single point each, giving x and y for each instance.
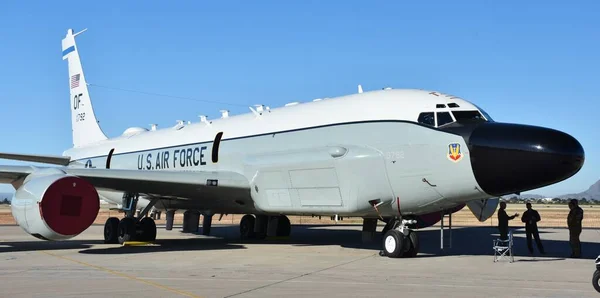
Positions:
(399, 241)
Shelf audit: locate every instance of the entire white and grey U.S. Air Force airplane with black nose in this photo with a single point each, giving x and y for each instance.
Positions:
(401, 156)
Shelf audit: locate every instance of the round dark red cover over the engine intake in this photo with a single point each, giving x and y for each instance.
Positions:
(70, 205)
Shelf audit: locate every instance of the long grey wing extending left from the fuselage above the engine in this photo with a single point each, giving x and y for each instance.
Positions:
(213, 186)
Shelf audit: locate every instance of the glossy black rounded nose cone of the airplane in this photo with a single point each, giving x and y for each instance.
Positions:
(511, 158)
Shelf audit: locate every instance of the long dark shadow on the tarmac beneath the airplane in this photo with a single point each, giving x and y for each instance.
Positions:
(471, 241)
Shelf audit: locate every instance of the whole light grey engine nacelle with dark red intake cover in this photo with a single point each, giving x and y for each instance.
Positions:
(52, 205)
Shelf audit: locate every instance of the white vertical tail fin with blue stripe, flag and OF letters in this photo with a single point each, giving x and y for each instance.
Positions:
(83, 121)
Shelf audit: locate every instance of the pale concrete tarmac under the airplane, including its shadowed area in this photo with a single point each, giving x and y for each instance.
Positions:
(315, 261)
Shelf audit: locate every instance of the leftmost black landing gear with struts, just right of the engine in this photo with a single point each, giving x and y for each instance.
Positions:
(131, 228)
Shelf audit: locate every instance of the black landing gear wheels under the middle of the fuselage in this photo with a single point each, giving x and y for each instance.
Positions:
(261, 226)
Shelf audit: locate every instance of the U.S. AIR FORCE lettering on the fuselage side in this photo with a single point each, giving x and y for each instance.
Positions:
(173, 158)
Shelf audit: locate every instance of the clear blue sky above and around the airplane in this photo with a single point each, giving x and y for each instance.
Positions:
(530, 62)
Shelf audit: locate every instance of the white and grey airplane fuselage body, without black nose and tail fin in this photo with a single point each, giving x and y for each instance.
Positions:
(336, 156)
